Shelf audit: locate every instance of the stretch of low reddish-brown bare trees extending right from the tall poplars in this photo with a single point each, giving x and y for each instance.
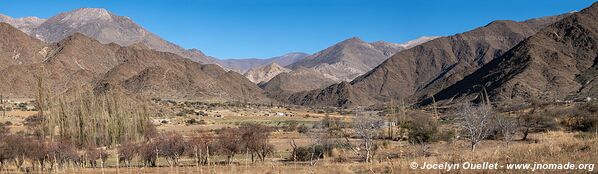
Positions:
(250, 139)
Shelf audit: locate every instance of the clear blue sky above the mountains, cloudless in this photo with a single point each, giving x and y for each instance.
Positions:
(267, 28)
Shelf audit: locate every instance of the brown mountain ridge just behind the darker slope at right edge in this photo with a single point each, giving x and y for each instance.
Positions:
(432, 66)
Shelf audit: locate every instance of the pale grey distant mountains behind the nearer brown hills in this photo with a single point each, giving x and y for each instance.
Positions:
(335, 64)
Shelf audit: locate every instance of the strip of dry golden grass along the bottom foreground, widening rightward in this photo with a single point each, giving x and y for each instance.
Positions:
(550, 147)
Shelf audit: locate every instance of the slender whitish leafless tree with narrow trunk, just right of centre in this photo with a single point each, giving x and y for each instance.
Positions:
(367, 127)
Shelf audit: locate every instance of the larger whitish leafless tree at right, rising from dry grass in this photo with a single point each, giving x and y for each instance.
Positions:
(476, 122)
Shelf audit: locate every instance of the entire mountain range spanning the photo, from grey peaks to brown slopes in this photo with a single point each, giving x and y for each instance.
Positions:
(548, 58)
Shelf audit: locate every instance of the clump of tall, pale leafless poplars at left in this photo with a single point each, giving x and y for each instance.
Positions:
(88, 119)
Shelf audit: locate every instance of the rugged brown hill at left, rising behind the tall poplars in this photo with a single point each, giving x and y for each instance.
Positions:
(79, 60)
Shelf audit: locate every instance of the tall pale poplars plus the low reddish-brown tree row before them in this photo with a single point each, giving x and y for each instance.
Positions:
(69, 128)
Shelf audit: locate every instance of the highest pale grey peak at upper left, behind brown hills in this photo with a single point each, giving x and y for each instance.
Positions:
(103, 26)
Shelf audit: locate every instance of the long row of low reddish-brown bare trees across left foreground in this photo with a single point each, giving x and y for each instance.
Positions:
(60, 153)
